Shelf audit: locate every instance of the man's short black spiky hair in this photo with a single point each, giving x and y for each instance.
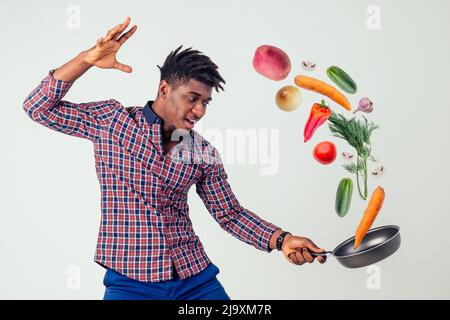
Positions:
(180, 66)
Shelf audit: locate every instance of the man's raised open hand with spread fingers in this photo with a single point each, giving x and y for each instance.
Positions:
(103, 54)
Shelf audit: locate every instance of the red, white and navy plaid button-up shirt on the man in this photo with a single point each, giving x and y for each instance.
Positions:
(145, 229)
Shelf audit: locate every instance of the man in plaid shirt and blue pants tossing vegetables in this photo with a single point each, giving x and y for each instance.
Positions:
(146, 240)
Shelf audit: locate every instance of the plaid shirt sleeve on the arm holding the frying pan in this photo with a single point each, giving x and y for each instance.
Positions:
(219, 199)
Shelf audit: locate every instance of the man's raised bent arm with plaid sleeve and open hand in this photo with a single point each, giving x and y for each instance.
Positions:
(86, 120)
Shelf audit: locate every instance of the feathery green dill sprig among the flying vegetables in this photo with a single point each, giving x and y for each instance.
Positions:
(357, 133)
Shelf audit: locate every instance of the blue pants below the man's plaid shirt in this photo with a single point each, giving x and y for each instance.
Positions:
(202, 286)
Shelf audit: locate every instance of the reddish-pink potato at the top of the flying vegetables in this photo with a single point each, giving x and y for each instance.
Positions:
(271, 62)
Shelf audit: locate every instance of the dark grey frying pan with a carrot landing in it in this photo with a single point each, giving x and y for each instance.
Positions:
(378, 244)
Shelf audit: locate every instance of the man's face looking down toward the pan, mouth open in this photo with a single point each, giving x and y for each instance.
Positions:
(186, 104)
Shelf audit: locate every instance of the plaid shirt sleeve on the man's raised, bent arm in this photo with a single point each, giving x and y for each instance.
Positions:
(85, 120)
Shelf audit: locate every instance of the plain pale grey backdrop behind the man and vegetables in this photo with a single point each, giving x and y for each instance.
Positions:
(396, 50)
